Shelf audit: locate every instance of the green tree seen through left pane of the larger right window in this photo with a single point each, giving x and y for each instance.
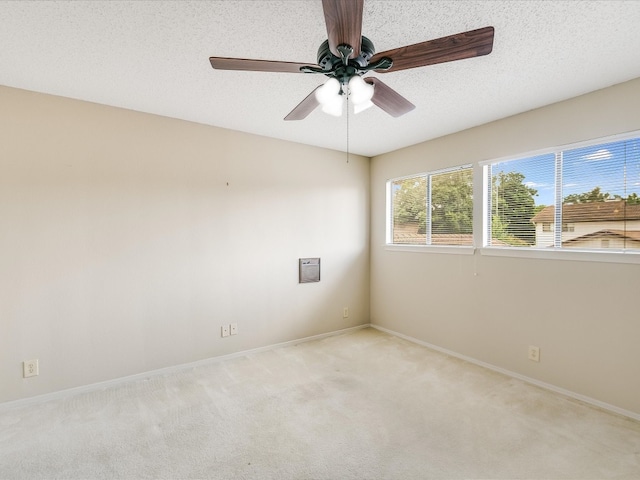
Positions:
(513, 207)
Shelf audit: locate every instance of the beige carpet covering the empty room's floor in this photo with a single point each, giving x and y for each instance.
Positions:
(362, 405)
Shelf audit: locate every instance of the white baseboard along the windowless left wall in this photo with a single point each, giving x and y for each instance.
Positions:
(164, 371)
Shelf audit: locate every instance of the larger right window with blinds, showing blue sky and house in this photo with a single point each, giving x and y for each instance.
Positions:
(584, 197)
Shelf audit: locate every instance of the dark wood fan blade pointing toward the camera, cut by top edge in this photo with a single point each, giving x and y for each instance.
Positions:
(344, 24)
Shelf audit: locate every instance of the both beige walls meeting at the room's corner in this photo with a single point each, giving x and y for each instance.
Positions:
(123, 250)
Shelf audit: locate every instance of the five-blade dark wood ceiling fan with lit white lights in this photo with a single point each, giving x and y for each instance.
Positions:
(346, 56)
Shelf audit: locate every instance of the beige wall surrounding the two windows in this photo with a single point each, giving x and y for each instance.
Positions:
(582, 315)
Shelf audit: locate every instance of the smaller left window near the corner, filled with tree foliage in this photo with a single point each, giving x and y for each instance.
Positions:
(432, 208)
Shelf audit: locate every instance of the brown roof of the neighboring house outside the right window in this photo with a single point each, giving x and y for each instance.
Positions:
(590, 212)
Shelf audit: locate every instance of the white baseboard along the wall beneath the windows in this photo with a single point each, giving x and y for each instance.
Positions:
(533, 381)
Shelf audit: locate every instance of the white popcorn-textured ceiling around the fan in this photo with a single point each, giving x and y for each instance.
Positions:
(152, 56)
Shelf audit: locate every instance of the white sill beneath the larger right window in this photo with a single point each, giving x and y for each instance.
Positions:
(616, 256)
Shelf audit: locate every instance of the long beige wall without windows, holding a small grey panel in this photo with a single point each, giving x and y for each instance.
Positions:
(128, 239)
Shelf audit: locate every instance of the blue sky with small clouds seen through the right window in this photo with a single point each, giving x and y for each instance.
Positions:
(614, 167)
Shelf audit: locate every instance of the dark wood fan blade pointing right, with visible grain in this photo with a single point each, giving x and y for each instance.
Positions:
(473, 43)
